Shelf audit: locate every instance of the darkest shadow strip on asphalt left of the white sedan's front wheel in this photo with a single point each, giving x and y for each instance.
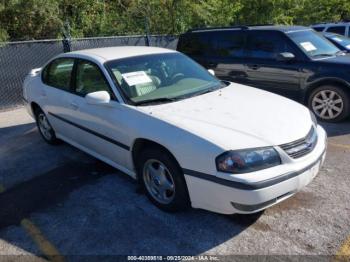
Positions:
(46, 189)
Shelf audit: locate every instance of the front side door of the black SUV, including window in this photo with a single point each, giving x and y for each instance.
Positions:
(265, 71)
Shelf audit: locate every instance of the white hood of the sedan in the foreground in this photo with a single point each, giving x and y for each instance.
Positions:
(238, 116)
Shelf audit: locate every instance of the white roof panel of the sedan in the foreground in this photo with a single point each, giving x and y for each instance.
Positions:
(119, 52)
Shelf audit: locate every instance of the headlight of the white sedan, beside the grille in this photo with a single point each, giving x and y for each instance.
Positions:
(247, 160)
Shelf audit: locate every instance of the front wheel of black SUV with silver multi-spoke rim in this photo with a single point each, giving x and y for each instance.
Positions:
(329, 103)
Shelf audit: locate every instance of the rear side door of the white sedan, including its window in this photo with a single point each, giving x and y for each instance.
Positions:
(56, 92)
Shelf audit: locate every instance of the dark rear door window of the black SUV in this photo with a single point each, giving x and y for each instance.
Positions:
(228, 43)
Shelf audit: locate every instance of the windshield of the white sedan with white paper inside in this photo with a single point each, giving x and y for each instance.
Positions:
(161, 77)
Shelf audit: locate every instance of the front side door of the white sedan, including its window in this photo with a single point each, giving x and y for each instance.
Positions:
(98, 127)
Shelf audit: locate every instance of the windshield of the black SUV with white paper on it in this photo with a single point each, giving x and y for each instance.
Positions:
(312, 44)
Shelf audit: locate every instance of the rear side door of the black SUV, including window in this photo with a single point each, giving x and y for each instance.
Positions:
(227, 57)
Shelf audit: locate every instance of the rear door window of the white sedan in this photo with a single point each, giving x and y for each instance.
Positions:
(58, 73)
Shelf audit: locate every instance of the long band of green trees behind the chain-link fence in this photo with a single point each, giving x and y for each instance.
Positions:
(37, 19)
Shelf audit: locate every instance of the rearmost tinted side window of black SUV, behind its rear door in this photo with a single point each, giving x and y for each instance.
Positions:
(195, 44)
